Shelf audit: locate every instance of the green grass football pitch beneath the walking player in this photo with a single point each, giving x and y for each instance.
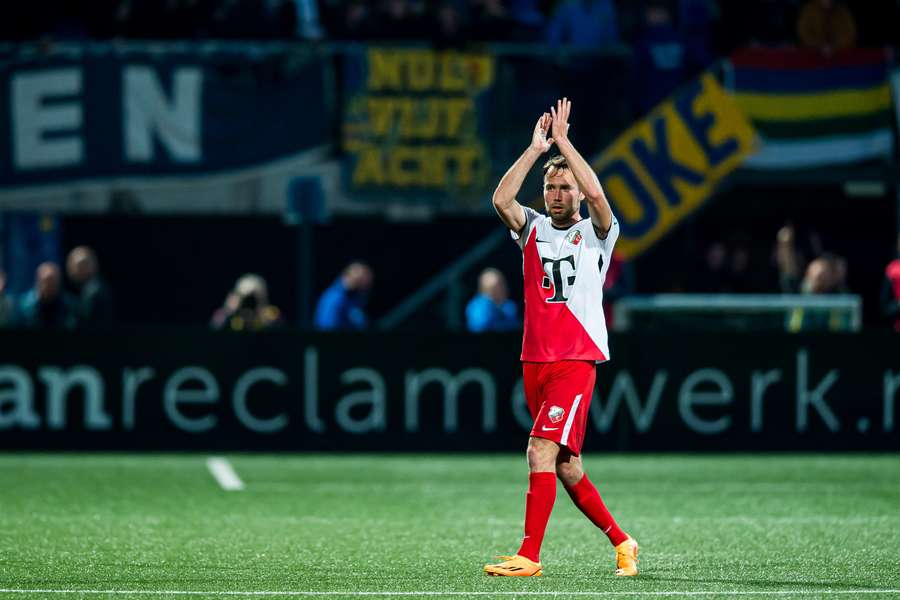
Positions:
(383, 526)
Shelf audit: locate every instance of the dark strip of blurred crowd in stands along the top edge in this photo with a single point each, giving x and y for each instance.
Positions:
(701, 24)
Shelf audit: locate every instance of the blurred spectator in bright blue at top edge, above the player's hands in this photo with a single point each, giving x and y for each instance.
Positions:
(584, 23)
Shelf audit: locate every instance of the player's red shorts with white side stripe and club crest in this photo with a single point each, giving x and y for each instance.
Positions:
(559, 396)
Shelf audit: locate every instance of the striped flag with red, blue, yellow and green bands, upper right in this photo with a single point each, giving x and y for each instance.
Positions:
(811, 110)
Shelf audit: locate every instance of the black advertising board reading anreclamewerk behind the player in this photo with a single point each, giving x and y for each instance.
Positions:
(199, 390)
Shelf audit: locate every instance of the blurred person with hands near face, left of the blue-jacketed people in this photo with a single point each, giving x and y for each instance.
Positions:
(247, 307)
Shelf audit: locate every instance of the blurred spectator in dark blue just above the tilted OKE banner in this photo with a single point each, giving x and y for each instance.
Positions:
(661, 60)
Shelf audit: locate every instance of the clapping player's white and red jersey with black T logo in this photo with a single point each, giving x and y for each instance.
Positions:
(564, 271)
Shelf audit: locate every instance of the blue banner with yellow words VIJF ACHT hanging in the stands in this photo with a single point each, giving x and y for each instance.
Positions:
(412, 121)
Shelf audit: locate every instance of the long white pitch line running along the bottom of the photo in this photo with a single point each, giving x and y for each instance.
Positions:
(453, 594)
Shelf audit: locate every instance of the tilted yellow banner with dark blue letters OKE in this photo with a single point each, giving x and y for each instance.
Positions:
(667, 165)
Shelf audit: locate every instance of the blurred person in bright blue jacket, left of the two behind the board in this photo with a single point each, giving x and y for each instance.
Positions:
(342, 306)
